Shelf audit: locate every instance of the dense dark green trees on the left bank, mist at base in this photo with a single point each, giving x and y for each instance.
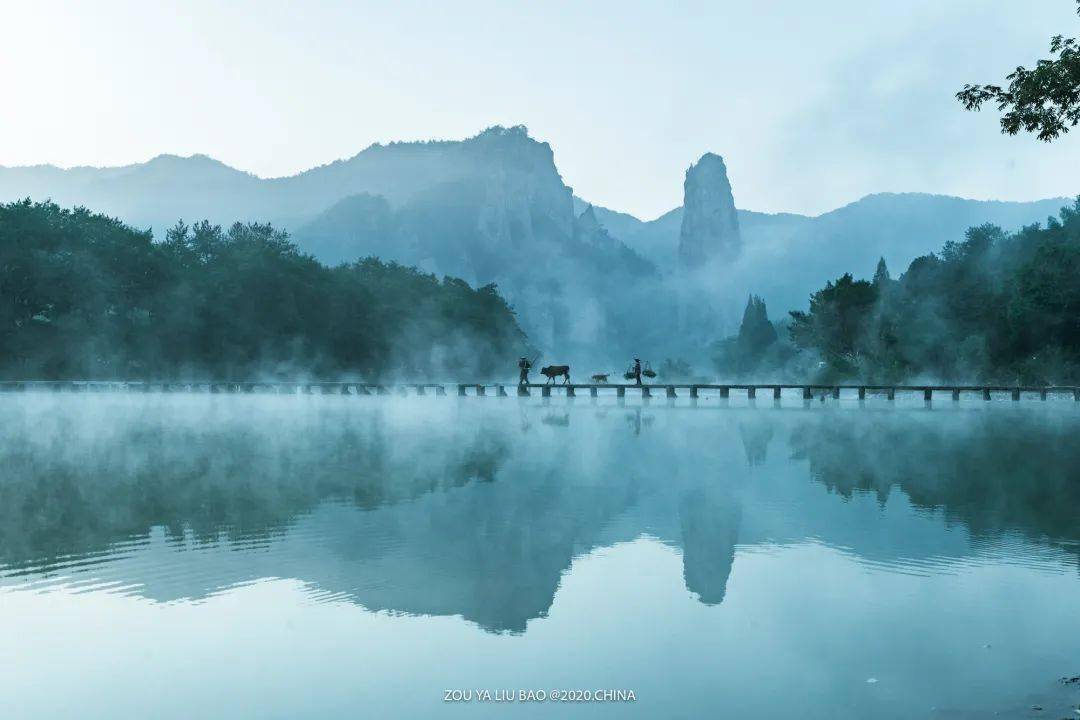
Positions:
(86, 296)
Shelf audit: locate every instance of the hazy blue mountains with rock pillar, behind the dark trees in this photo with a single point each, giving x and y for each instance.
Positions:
(588, 282)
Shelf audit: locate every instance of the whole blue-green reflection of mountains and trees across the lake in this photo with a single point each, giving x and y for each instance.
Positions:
(478, 510)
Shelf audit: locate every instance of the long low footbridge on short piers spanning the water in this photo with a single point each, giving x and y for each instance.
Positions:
(694, 391)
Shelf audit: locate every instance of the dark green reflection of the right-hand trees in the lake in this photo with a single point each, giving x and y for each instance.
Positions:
(991, 471)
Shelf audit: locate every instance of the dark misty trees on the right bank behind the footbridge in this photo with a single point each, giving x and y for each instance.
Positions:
(993, 308)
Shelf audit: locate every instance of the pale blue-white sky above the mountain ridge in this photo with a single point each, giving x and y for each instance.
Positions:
(812, 104)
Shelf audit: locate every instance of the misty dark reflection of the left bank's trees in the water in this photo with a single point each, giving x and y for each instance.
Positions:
(233, 481)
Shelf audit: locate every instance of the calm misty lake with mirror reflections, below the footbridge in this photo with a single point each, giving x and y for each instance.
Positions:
(228, 556)
